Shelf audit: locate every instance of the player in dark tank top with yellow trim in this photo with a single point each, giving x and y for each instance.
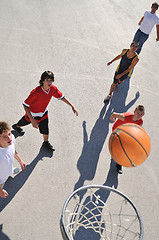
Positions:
(129, 59)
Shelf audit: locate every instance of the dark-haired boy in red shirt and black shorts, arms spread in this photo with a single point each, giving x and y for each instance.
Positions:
(36, 110)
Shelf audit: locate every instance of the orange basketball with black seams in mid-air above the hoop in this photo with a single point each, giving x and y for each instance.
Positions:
(129, 145)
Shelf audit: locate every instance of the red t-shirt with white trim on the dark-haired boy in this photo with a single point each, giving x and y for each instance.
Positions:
(39, 99)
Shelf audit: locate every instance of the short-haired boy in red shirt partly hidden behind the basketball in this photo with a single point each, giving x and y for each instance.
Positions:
(135, 117)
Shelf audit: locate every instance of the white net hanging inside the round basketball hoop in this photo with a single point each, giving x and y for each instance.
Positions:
(100, 213)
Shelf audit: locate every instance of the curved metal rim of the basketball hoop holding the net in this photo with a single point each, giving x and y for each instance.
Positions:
(62, 222)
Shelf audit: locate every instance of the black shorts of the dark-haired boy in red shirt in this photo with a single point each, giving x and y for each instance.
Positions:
(43, 124)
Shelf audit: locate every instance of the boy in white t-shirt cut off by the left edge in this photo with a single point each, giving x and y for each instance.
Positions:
(7, 155)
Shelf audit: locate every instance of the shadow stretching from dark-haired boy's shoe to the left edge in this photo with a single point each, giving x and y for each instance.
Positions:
(13, 185)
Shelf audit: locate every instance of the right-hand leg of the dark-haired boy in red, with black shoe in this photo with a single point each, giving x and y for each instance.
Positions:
(44, 129)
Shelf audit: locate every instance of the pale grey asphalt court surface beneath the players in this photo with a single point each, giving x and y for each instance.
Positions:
(75, 40)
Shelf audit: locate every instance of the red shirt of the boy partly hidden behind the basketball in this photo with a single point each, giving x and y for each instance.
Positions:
(128, 119)
